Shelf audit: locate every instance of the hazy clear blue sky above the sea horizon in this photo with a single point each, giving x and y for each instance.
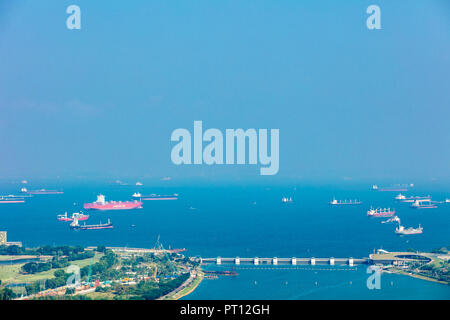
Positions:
(103, 101)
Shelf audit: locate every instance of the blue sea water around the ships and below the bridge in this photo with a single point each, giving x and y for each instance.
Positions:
(247, 220)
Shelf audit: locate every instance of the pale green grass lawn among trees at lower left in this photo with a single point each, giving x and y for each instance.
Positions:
(11, 273)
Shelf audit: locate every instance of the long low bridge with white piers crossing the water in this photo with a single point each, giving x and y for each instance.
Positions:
(285, 261)
